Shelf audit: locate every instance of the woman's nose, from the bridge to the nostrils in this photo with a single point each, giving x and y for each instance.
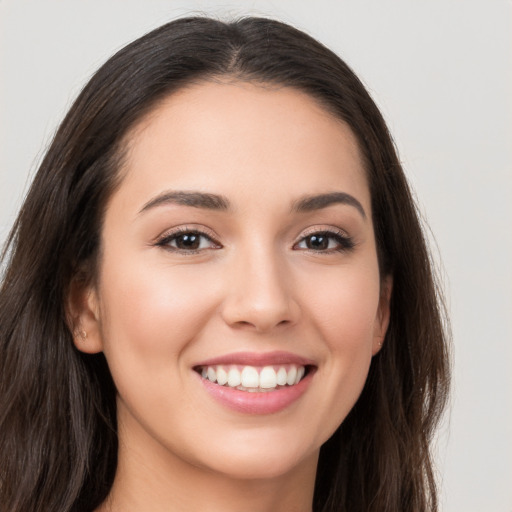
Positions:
(259, 293)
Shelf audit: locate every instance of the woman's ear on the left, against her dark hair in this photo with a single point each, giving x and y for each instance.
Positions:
(83, 316)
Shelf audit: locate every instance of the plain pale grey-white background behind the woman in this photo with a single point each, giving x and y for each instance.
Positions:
(441, 73)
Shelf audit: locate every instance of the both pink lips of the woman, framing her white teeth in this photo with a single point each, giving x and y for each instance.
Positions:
(258, 402)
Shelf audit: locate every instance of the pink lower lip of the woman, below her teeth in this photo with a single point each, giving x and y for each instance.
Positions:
(257, 402)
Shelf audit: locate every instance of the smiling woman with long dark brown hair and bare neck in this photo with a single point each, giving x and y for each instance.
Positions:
(218, 281)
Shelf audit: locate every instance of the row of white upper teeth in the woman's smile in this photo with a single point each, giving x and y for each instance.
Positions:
(253, 379)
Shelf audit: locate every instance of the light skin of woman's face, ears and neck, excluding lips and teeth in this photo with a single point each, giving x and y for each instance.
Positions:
(283, 259)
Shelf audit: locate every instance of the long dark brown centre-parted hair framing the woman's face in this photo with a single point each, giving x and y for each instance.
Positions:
(58, 441)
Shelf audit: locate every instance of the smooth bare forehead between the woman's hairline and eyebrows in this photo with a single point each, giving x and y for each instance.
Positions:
(243, 139)
